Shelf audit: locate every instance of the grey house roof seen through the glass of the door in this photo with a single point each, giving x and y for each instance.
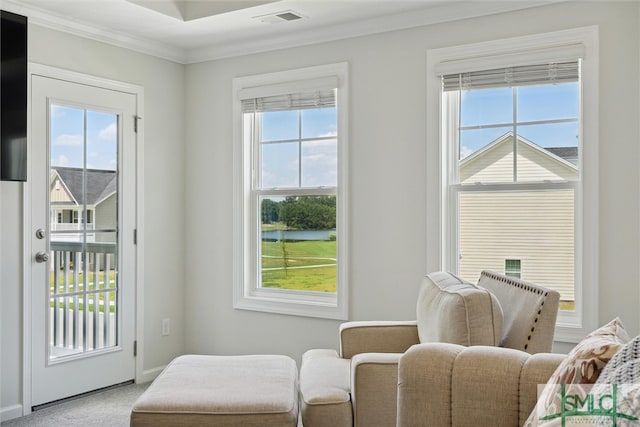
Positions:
(100, 183)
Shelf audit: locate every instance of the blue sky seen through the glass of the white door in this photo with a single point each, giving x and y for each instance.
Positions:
(68, 142)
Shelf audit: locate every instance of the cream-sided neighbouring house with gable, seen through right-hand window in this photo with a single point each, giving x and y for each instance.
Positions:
(532, 246)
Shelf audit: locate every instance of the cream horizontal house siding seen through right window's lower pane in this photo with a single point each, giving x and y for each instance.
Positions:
(489, 234)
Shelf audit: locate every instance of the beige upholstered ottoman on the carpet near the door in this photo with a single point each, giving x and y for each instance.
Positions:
(259, 390)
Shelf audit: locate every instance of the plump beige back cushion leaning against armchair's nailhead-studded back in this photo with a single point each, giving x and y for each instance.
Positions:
(454, 311)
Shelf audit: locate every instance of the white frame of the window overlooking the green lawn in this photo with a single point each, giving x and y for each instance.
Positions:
(247, 294)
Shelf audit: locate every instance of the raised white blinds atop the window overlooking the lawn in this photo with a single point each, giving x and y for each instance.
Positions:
(313, 93)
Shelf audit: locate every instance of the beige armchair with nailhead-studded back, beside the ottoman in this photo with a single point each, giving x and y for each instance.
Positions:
(358, 386)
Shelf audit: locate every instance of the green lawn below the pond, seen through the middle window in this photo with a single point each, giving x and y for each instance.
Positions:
(318, 257)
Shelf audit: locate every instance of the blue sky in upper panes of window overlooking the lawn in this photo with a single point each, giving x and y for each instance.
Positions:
(280, 161)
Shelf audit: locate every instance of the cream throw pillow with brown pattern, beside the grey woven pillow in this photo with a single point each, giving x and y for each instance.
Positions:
(583, 365)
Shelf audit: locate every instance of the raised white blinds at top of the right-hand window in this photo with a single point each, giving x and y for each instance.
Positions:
(513, 76)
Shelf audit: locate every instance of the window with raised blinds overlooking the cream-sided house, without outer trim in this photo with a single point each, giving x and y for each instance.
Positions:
(514, 143)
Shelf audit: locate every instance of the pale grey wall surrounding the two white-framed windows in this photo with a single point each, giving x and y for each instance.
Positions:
(388, 176)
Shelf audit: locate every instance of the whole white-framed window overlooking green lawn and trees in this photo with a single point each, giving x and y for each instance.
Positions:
(291, 202)
